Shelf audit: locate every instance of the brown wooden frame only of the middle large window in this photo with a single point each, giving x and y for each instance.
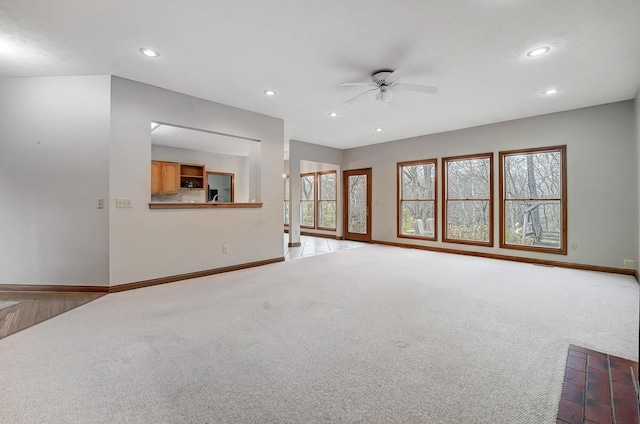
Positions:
(446, 200)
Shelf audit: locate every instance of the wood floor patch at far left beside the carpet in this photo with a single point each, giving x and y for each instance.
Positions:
(37, 307)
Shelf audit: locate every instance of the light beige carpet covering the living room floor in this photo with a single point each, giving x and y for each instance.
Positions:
(376, 334)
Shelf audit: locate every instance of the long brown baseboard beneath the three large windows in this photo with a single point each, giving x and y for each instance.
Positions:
(513, 258)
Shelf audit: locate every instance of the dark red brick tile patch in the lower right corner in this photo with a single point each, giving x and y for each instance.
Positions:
(598, 389)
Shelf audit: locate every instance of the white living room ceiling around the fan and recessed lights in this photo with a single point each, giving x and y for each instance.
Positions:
(231, 51)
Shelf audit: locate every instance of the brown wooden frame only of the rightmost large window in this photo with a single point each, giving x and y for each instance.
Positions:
(562, 250)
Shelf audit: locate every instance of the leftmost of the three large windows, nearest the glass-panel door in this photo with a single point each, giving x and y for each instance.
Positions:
(417, 199)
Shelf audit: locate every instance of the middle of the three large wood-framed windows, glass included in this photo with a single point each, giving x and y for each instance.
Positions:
(468, 191)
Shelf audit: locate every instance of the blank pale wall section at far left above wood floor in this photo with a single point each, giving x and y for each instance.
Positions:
(54, 162)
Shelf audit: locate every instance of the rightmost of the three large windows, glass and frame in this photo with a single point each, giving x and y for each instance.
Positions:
(533, 211)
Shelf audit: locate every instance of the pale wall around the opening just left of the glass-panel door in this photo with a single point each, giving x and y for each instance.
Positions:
(300, 151)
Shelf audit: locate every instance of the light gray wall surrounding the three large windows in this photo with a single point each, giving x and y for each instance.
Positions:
(602, 177)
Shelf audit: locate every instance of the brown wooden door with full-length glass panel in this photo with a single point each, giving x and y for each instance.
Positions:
(357, 205)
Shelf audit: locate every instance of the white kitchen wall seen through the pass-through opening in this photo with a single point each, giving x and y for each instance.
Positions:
(213, 162)
